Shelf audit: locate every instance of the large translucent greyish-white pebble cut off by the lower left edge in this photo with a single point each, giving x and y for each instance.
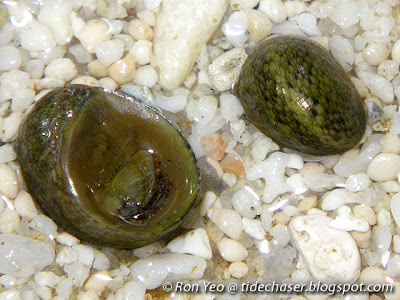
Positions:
(21, 256)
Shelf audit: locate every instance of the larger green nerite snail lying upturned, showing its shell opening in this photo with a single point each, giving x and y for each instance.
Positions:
(107, 168)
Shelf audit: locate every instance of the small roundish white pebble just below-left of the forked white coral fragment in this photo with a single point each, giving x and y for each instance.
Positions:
(247, 203)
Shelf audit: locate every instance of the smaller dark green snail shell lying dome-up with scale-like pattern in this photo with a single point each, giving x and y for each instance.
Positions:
(295, 92)
